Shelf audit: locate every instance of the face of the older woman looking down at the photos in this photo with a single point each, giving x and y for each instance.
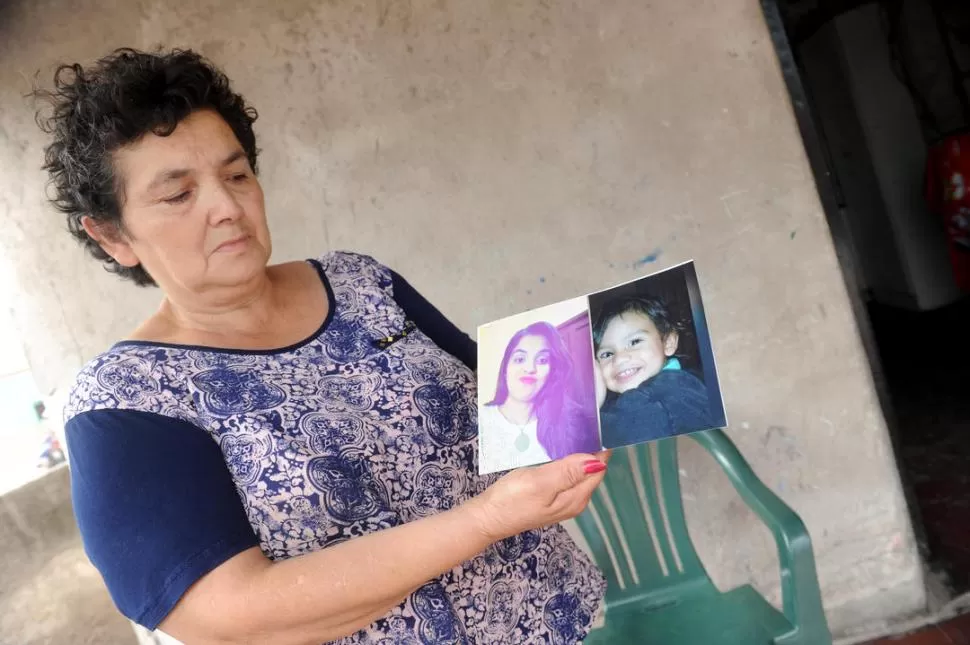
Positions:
(192, 208)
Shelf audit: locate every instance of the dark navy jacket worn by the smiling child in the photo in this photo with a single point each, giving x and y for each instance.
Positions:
(672, 402)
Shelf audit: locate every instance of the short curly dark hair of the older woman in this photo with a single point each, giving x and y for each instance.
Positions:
(115, 102)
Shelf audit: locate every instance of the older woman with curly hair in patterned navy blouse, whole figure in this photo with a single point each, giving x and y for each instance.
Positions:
(282, 454)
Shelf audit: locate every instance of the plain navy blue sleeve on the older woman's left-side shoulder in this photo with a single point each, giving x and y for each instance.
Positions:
(155, 504)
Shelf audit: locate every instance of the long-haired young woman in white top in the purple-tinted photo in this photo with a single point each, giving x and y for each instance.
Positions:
(534, 416)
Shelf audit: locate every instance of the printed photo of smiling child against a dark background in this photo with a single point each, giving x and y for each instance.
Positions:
(654, 373)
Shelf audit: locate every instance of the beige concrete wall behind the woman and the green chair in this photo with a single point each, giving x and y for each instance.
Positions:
(504, 155)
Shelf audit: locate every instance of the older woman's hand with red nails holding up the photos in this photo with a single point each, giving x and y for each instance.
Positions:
(535, 497)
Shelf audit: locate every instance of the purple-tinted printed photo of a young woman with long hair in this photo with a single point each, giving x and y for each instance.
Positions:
(536, 387)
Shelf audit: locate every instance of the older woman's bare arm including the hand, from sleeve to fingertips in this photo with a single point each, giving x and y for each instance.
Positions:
(335, 592)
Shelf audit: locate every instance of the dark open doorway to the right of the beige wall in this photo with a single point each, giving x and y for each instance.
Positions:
(876, 86)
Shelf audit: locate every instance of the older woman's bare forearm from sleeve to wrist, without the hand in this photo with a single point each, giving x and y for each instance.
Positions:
(326, 594)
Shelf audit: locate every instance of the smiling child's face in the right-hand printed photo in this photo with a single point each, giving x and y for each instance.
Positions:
(632, 350)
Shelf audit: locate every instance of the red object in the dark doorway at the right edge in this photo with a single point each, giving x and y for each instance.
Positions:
(948, 194)
